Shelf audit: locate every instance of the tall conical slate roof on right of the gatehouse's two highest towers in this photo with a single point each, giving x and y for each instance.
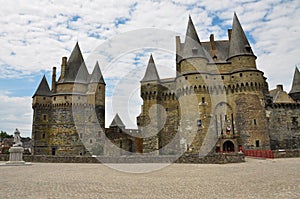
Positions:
(238, 44)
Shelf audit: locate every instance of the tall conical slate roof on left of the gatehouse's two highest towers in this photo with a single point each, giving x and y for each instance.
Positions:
(192, 45)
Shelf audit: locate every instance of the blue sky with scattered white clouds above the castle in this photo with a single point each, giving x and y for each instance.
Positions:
(34, 35)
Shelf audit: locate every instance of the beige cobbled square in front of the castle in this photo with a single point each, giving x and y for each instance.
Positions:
(279, 178)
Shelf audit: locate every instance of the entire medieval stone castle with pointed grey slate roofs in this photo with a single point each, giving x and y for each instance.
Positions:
(217, 102)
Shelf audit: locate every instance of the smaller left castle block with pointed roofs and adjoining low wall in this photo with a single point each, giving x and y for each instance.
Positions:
(69, 119)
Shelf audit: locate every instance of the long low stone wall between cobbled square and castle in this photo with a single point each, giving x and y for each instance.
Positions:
(210, 159)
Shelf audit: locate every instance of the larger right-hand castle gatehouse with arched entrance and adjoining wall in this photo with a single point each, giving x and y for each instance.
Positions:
(218, 102)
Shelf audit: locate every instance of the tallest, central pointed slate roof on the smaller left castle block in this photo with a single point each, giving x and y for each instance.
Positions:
(76, 69)
